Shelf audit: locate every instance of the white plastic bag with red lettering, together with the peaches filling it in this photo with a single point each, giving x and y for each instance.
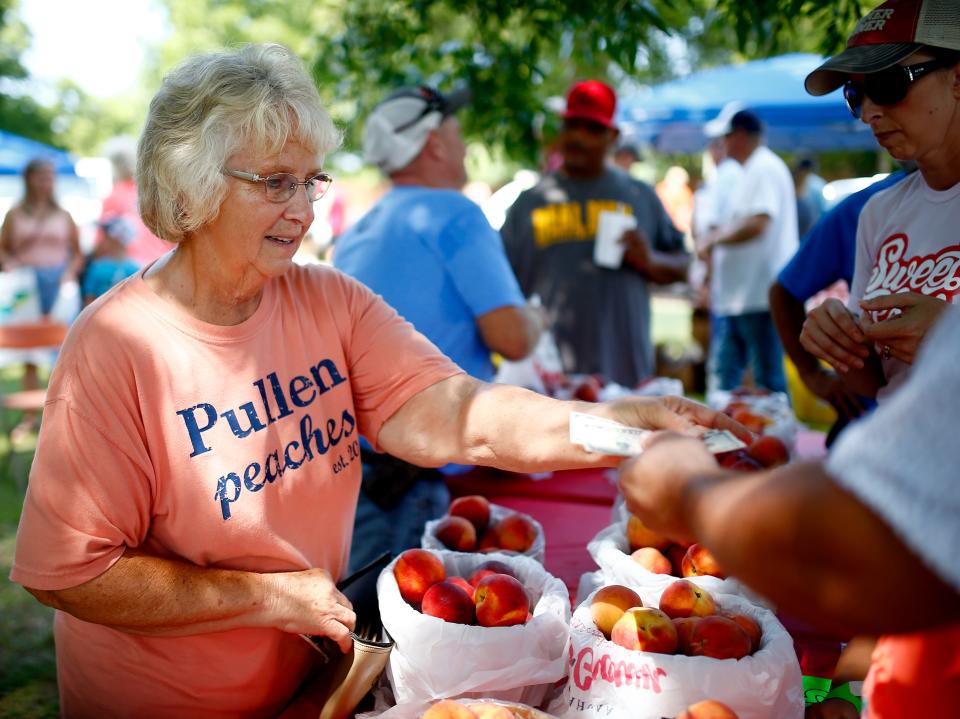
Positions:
(654, 654)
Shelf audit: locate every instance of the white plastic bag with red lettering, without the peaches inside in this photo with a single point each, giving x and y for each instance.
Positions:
(609, 681)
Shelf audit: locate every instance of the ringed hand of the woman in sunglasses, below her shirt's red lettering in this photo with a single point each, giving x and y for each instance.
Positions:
(900, 336)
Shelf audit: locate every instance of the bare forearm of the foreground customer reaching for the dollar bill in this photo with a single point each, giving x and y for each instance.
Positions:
(817, 552)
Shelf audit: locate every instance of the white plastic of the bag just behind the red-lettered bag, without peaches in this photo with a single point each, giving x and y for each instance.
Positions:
(611, 551)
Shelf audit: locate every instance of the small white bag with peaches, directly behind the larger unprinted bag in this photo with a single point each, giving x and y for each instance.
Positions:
(473, 524)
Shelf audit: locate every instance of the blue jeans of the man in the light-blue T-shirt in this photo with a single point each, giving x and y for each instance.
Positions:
(393, 530)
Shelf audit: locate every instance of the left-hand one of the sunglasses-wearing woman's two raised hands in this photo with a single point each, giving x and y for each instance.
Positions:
(832, 333)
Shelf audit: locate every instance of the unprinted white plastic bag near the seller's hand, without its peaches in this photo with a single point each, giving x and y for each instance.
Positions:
(434, 659)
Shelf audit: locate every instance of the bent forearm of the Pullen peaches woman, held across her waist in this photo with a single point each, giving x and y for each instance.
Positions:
(142, 594)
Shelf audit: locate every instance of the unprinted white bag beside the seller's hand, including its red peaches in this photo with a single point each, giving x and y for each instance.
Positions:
(507, 641)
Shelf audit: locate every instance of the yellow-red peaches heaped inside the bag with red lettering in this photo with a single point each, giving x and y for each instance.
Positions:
(688, 621)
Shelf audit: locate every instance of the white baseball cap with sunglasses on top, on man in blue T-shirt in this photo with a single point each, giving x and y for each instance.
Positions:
(398, 127)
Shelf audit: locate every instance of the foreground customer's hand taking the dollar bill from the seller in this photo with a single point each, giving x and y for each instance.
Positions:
(655, 483)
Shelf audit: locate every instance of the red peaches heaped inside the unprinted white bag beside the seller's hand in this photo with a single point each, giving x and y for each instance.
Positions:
(491, 597)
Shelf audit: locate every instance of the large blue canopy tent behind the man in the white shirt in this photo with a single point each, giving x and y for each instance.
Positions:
(670, 116)
